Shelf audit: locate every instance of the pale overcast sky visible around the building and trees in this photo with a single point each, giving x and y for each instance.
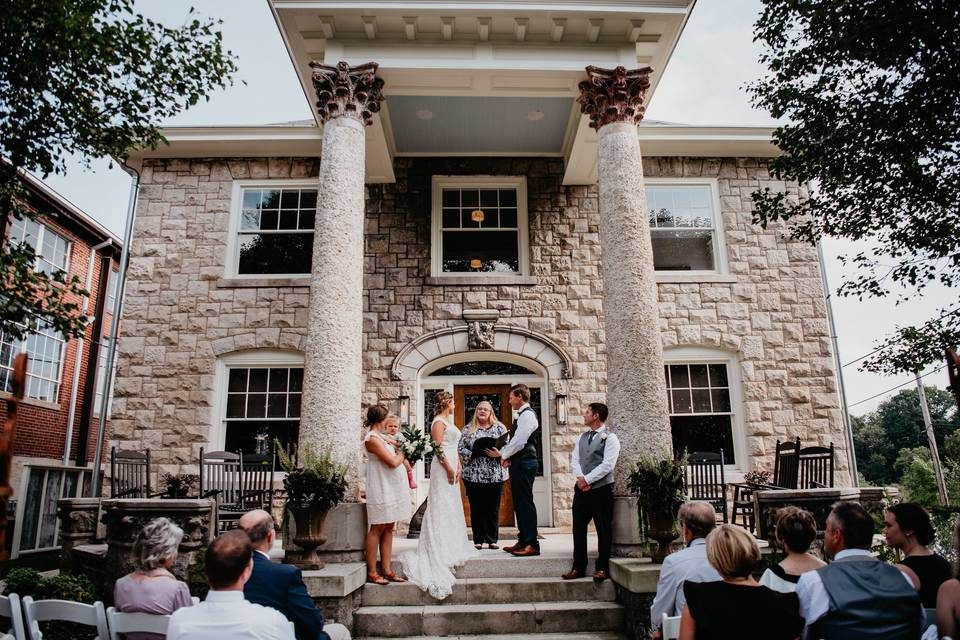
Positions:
(703, 84)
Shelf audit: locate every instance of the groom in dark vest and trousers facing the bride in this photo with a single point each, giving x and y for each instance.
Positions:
(521, 456)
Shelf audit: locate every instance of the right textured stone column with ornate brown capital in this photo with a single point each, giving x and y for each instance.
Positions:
(636, 388)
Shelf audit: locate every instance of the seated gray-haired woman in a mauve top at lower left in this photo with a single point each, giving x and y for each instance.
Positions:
(152, 588)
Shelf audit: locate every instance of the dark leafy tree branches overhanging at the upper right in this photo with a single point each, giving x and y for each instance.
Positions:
(872, 118)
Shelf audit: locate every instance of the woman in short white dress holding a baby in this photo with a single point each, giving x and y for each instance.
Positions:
(388, 497)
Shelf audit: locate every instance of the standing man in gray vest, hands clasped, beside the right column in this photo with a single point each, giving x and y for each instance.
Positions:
(594, 458)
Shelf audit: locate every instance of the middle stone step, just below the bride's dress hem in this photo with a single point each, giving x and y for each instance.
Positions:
(493, 591)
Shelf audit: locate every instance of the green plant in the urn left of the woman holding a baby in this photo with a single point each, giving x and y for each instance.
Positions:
(313, 479)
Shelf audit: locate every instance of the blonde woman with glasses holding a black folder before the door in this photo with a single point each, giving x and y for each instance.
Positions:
(483, 476)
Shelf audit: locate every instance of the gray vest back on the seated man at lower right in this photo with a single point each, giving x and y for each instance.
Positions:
(868, 599)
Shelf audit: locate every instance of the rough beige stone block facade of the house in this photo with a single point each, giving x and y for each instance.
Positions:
(181, 314)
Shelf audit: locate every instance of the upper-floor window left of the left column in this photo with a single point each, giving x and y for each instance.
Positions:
(272, 229)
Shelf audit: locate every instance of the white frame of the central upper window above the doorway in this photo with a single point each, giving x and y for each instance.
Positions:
(479, 182)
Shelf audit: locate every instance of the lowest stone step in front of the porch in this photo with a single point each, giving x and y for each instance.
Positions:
(469, 619)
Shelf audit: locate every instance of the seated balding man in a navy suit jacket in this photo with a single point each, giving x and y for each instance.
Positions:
(280, 586)
